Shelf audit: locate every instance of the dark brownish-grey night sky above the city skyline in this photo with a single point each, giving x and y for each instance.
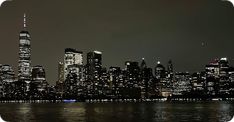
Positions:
(189, 32)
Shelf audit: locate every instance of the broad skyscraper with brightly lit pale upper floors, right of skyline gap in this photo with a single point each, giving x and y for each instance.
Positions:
(73, 72)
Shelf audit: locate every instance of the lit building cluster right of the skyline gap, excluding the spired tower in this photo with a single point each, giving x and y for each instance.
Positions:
(137, 81)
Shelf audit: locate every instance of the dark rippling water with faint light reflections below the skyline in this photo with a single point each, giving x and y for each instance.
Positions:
(118, 112)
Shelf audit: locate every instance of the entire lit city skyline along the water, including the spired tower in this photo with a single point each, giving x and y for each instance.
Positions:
(80, 81)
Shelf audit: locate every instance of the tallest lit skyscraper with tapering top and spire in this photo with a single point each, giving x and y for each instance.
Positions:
(24, 63)
